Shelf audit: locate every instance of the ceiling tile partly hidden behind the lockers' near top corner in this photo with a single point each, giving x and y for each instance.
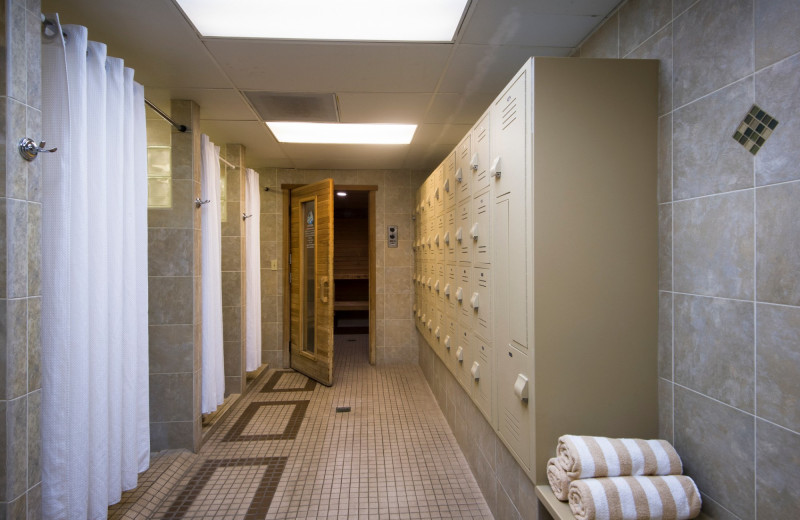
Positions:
(487, 69)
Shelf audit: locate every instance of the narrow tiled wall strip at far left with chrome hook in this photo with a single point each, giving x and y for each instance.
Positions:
(20, 263)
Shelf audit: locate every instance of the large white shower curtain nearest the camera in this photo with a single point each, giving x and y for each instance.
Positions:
(95, 400)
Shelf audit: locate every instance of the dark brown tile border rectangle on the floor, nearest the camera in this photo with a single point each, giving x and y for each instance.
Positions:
(259, 507)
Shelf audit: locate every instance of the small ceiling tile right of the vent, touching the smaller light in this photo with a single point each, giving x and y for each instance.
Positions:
(365, 107)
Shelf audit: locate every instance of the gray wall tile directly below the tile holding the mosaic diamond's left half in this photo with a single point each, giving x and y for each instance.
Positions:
(713, 249)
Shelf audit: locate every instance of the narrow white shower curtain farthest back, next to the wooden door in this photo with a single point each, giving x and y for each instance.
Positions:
(252, 246)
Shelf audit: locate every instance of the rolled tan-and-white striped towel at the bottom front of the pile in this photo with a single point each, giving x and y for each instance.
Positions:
(673, 497)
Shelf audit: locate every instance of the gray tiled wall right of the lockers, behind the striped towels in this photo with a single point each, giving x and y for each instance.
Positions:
(729, 290)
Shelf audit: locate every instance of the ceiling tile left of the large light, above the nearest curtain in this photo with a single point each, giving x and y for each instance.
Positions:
(150, 35)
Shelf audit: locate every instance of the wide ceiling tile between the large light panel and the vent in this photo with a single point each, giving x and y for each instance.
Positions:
(330, 67)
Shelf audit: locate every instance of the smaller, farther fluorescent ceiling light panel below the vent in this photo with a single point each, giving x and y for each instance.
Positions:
(341, 133)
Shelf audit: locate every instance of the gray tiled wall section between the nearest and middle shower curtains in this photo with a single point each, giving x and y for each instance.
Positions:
(175, 297)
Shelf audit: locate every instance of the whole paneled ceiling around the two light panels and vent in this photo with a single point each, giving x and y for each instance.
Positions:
(443, 88)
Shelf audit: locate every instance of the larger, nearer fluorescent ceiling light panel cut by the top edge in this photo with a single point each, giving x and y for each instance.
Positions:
(369, 20)
